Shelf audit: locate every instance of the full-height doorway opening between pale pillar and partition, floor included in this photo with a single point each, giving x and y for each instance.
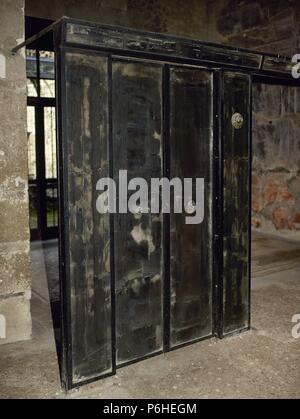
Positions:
(42, 184)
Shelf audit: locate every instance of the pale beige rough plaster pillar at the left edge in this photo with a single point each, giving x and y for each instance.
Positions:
(15, 274)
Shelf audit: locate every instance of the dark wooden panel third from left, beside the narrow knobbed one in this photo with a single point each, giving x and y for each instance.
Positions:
(191, 138)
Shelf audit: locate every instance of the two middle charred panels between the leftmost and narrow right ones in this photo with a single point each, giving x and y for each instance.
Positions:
(143, 143)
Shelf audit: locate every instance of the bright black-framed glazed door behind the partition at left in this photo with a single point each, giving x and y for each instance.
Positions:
(41, 135)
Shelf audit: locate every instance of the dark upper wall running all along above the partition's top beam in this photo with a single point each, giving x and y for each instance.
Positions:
(271, 25)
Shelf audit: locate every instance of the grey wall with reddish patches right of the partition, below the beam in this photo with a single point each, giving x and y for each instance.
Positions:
(276, 158)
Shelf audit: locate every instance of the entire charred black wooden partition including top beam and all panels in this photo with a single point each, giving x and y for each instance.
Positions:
(133, 286)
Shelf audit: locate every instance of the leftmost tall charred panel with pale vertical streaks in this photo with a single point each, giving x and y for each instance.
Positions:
(85, 151)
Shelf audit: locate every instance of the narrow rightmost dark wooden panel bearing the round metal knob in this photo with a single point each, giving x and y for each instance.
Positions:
(236, 203)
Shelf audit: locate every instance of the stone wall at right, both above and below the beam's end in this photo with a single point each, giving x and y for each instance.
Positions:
(272, 26)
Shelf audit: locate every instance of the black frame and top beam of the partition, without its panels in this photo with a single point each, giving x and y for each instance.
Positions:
(132, 44)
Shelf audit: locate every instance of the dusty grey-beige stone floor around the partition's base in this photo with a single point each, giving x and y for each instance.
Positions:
(263, 363)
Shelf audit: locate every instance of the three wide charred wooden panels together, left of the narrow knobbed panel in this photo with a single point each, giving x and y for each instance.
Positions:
(135, 284)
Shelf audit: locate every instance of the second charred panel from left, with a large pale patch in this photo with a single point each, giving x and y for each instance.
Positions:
(137, 142)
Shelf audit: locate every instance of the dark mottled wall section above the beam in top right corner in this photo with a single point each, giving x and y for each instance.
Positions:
(269, 25)
